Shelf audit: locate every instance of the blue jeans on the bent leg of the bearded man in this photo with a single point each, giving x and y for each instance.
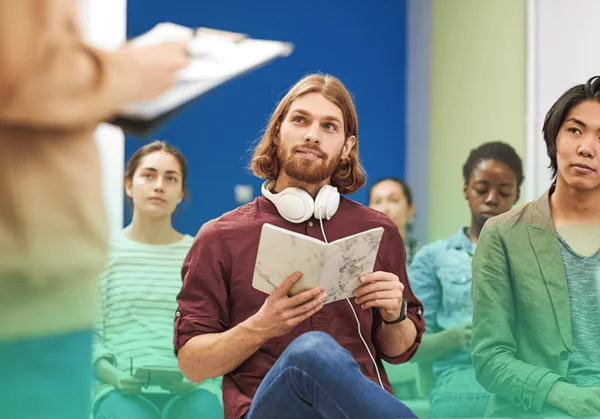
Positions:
(316, 378)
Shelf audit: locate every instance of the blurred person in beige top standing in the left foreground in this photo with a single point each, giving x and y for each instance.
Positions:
(54, 91)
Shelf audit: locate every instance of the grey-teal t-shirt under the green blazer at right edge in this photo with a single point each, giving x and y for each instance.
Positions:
(584, 297)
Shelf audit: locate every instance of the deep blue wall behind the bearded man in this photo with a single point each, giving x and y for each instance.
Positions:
(362, 44)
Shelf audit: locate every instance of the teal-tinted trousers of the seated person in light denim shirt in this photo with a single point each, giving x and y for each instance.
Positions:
(457, 394)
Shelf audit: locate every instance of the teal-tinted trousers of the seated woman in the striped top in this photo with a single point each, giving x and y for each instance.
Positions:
(199, 404)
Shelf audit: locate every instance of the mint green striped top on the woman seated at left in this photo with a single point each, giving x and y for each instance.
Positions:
(138, 290)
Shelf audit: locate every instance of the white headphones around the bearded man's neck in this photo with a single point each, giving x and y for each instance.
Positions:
(296, 205)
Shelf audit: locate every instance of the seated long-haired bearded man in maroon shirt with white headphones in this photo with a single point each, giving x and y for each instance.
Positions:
(286, 356)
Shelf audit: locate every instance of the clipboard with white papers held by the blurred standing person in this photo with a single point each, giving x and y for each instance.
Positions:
(216, 57)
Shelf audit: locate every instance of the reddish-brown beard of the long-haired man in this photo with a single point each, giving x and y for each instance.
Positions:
(306, 170)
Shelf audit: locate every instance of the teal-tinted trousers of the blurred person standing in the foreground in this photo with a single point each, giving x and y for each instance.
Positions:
(48, 377)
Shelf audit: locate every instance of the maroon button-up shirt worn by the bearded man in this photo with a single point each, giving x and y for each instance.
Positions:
(217, 292)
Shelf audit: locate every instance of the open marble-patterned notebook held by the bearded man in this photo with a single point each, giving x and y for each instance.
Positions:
(336, 266)
